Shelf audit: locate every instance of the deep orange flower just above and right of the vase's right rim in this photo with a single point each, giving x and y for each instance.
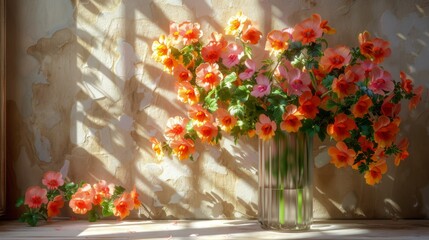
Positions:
(340, 129)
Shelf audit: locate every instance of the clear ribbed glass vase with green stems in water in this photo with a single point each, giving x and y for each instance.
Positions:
(285, 182)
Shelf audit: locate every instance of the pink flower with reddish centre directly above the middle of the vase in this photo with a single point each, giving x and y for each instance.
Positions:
(297, 82)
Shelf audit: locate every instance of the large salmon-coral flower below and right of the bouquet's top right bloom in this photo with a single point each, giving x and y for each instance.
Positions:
(335, 58)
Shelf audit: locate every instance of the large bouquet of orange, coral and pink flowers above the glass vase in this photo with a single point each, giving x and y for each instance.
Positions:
(303, 85)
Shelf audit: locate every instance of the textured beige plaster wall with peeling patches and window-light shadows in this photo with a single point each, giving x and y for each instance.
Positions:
(84, 92)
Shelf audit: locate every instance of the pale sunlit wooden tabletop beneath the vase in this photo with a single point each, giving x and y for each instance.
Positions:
(213, 229)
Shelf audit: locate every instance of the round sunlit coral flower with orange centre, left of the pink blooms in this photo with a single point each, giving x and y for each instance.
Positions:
(208, 75)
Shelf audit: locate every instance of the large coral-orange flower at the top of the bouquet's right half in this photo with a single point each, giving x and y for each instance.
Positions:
(308, 30)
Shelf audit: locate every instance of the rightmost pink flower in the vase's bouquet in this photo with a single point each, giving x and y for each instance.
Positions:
(380, 82)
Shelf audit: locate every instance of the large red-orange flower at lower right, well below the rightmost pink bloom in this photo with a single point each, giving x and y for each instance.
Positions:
(385, 131)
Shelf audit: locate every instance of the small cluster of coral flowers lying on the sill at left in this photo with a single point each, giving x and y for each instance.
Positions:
(97, 200)
